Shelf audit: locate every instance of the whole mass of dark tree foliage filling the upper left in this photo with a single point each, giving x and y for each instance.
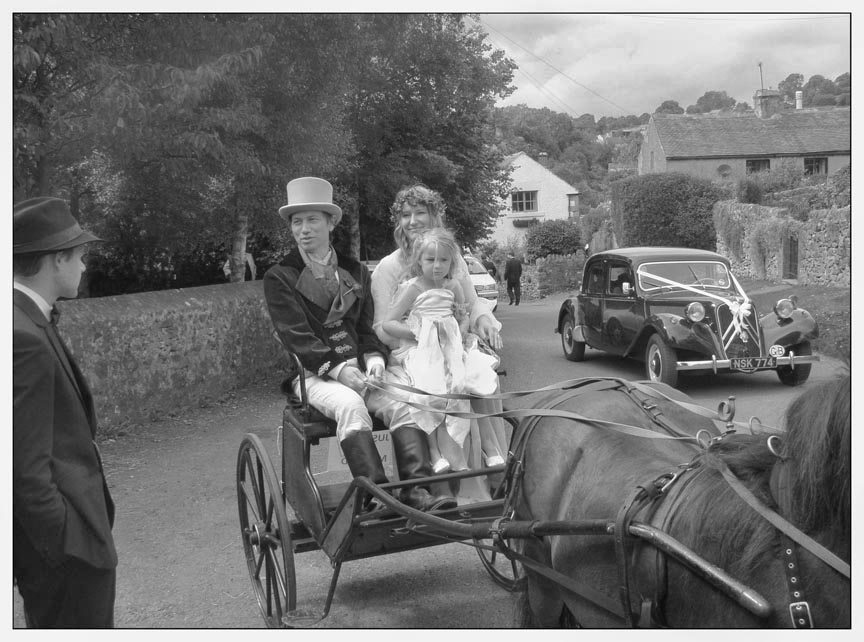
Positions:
(173, 135)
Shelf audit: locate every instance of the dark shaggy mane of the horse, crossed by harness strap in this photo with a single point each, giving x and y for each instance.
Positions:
(815, 476)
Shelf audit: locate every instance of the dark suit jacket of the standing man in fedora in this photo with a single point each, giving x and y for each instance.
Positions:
(60, 500)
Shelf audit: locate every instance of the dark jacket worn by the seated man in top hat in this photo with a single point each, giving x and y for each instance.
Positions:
(321, 331)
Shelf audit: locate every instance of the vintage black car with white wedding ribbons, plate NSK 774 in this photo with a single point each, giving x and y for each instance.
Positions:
(682, 310)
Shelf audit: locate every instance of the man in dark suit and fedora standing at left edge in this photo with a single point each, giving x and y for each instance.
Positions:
(64, 559)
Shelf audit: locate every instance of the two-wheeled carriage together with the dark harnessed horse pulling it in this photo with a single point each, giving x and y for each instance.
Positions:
(621, 504)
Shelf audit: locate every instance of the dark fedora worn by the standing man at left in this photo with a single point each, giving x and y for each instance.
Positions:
(45, 224)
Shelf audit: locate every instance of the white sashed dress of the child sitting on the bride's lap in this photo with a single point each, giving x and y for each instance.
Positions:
(439, 363)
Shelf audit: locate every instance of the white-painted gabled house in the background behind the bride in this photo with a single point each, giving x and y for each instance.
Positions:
(537, 195)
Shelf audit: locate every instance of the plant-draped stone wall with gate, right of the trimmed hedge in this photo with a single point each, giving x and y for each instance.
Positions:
(760, 237)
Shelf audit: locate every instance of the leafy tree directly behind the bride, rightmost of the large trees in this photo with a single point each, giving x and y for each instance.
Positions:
(423, 91)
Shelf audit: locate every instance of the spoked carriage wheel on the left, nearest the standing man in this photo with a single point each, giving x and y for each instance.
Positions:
(265, 532)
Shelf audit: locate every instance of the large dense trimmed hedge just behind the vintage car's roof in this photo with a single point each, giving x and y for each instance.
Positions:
(670, 209)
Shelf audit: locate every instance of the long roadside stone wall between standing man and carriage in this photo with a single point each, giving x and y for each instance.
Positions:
(146, 355)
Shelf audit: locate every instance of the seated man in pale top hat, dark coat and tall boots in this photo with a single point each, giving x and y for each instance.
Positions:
(320, 304)
